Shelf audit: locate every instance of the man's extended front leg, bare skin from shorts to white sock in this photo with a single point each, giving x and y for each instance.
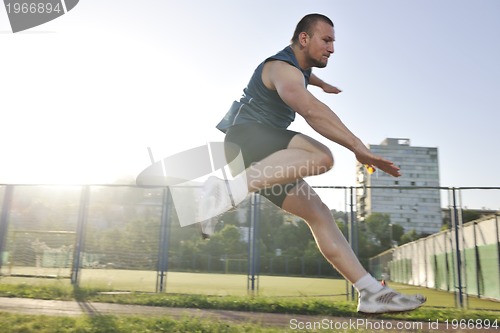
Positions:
(302, 201)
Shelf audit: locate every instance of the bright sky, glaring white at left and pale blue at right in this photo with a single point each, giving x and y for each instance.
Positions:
(84, 95)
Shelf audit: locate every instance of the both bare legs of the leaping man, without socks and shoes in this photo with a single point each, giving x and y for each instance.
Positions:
(306, 157)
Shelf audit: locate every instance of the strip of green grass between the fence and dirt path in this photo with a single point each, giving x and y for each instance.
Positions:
(289, 305)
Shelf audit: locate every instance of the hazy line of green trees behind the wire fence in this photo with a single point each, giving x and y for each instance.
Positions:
(122, 230)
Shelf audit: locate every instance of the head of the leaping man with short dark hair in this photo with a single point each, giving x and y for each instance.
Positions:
(314, 36)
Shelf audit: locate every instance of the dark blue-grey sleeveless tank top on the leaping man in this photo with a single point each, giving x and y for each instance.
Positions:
(260, 104)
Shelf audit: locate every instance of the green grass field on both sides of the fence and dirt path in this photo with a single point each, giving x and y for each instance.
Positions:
(285, 295)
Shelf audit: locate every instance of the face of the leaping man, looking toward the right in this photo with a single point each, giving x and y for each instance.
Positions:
(320, 45)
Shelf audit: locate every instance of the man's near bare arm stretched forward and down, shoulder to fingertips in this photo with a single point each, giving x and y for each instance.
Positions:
(289, 83)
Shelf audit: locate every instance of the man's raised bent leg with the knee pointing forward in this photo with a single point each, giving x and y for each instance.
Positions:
(303, 157)
